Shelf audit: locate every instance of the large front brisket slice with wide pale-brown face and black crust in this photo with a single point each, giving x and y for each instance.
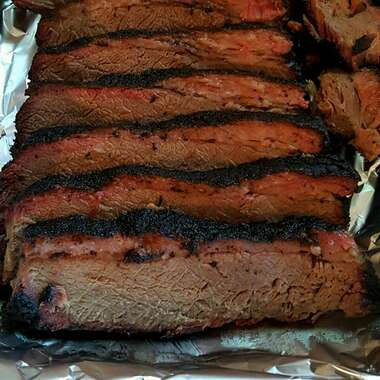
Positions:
(159, 272)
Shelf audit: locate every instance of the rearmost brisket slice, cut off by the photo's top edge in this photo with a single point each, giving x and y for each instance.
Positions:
(73, 20)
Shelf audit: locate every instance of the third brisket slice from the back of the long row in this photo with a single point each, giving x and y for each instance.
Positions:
(54, 105)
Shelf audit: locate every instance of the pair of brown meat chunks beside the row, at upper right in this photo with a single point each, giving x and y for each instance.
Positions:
(350, 101)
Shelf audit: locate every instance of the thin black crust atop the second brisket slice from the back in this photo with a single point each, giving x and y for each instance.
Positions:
(143, 33)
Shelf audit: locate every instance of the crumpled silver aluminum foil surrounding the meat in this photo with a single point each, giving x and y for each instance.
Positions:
(334, 348)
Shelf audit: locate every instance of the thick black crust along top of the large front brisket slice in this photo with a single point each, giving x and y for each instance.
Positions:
(176, 225)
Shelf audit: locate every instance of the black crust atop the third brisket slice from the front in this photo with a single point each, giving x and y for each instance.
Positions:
(194, 120)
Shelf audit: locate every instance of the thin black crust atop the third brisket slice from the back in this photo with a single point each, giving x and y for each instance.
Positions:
(152, 77)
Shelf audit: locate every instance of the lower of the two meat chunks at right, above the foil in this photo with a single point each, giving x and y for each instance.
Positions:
(351, 106)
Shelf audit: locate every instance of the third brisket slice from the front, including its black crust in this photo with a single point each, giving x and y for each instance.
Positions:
(184, 143)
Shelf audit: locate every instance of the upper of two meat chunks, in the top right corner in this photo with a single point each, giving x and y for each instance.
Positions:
(352, 26)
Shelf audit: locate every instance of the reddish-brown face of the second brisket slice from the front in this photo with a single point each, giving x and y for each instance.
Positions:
(272, 198)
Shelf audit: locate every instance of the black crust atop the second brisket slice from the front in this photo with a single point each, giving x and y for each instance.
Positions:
(309, 165)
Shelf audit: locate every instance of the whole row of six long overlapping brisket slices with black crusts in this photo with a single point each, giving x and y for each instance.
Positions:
(168, 178)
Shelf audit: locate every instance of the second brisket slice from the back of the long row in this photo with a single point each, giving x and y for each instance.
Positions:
(263, 50)
